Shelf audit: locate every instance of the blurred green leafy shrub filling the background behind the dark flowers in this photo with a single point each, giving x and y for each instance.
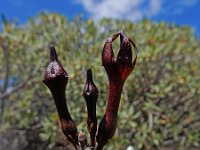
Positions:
(160, 104)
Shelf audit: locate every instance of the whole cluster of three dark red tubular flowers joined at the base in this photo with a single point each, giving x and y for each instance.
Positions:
(118, 69)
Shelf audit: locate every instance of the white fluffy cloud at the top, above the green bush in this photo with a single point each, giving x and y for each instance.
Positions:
(133, 10)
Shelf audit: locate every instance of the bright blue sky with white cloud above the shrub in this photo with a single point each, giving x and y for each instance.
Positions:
(180, 12)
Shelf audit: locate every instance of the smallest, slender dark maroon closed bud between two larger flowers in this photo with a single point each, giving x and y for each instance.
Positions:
(90, 94)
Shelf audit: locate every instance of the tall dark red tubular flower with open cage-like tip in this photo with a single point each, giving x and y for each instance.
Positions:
(117, 70)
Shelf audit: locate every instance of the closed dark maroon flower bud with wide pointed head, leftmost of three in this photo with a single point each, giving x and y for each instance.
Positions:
(56, 78)
